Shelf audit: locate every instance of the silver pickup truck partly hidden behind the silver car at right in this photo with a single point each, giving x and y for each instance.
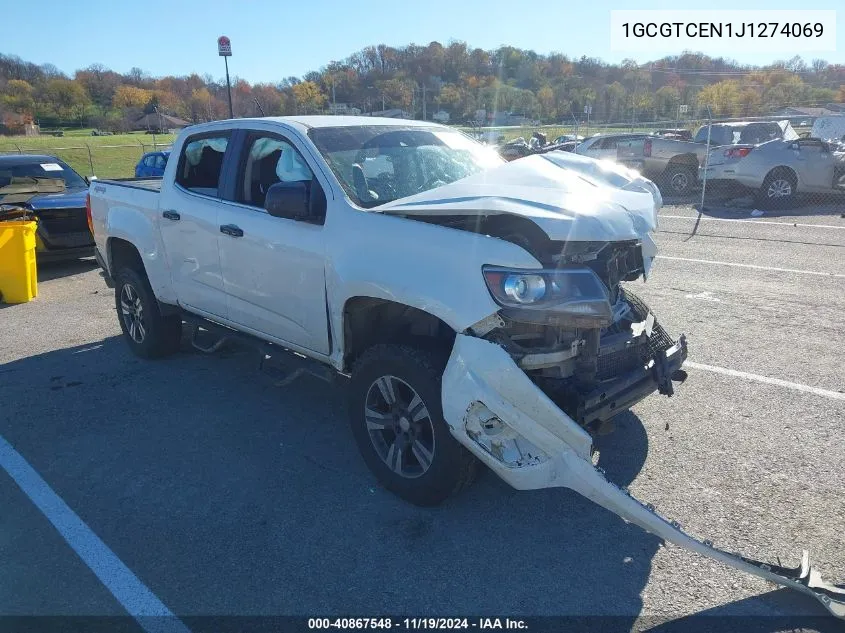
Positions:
(674, 164)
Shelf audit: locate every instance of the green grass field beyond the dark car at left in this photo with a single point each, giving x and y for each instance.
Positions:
(110, 156)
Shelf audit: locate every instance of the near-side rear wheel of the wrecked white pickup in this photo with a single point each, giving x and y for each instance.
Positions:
(148, 333)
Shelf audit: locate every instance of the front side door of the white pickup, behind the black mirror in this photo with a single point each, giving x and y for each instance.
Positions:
(273, 268)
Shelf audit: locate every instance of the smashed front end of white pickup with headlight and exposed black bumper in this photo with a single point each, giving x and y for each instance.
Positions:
(594, 348)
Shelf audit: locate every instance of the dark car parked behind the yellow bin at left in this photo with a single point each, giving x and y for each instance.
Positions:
(59, 208)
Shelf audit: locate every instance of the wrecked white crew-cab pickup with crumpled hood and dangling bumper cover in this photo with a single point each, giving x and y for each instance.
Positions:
(475, 306)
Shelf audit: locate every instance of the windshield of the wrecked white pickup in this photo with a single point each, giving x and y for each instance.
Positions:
(381, 163)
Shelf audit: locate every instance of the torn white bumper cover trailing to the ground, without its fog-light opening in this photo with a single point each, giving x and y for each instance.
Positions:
(480, 372)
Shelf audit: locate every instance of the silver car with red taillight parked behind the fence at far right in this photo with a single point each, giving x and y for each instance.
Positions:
(779, 169)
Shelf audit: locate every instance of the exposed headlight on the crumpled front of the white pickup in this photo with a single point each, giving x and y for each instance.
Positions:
(575, 292)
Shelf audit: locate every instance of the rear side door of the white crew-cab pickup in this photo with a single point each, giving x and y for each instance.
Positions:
(189, 225)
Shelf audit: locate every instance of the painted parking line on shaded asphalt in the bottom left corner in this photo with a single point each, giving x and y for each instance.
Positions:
(125, 586)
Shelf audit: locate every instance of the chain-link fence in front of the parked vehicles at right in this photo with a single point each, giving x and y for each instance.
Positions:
(763, 164)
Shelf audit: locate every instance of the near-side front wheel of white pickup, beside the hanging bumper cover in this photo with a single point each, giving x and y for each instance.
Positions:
(397, 421)
